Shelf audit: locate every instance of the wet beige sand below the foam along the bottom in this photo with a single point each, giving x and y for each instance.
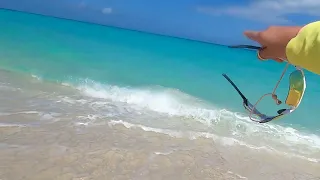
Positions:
(57, 151)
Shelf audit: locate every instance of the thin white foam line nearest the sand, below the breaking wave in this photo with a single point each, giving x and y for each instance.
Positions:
(195, 135)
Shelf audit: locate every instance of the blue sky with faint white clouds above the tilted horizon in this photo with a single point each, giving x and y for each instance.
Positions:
(218, 21)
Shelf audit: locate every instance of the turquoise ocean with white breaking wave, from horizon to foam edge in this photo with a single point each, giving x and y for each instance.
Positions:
(164, 83)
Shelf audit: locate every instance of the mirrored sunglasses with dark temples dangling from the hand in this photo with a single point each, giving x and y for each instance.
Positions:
(297, 86)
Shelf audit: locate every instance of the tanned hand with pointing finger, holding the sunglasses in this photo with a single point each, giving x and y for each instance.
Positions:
(273, 41)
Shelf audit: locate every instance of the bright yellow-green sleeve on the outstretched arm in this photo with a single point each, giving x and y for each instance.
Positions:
(304, 49)
